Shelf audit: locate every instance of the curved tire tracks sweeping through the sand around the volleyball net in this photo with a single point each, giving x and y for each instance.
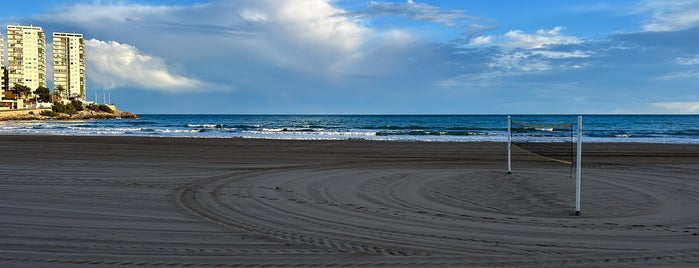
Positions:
(303, 205)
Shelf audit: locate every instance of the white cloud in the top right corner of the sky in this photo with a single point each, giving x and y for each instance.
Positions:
(670, 15)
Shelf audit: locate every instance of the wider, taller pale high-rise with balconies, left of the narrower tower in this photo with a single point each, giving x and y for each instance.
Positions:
(26, 56)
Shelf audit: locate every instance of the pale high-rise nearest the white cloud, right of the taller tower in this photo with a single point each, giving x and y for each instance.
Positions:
(69, 65)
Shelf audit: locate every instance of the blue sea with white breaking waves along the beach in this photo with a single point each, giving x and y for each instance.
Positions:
(672, 129)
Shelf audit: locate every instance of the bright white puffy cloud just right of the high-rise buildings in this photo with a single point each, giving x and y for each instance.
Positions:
(112, 64)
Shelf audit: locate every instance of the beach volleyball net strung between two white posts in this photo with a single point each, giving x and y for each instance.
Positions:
(554, 142)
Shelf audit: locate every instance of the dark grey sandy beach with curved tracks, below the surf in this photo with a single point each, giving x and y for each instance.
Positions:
(167, 202)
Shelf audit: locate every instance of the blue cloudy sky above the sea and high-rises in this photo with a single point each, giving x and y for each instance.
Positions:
(382, 57)
